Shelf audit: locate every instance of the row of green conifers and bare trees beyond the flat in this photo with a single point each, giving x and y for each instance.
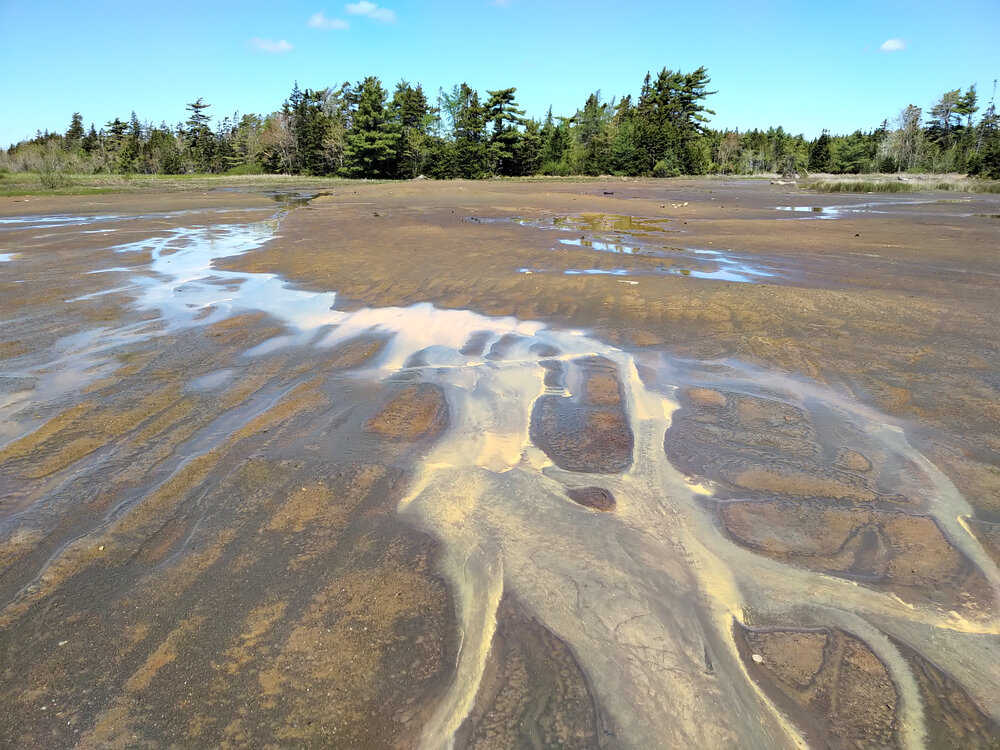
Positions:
(360, 130)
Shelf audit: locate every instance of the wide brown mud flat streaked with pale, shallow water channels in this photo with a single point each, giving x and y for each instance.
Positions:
(580, 464)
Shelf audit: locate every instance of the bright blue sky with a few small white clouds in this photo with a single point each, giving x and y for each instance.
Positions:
(804, 65)
